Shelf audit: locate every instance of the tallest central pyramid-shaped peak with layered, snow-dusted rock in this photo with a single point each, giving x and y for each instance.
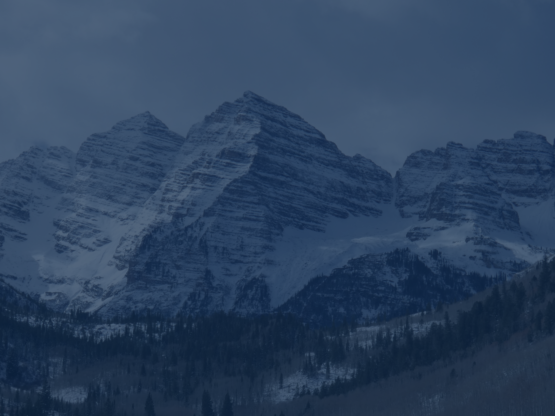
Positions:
(248, 172)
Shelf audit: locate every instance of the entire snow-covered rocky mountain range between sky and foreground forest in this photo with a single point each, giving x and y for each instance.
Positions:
(254, 211)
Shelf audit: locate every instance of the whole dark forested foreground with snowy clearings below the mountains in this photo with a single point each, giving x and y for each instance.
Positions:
(491, 351)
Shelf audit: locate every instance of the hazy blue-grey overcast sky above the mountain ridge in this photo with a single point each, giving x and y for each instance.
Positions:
(382, 78)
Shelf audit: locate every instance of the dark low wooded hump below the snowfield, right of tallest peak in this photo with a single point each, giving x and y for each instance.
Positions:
(380, 286)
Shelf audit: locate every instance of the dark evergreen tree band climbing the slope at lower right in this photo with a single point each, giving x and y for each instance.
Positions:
(504, 312)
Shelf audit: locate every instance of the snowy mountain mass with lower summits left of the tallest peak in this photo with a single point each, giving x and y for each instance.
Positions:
(67, 212)
